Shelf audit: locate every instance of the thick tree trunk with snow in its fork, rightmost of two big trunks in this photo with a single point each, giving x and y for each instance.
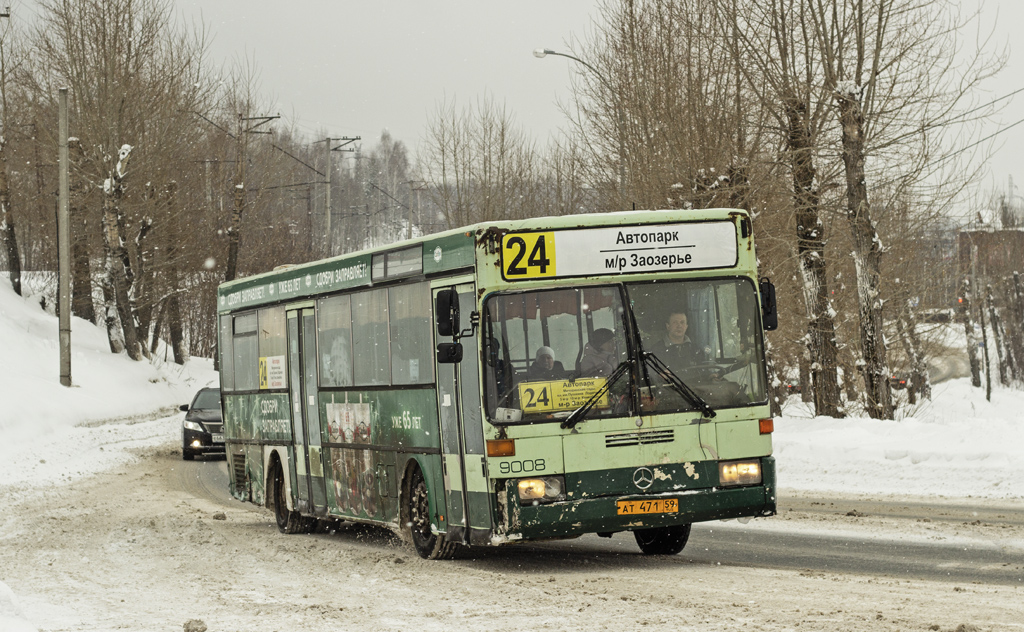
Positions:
(867, 259)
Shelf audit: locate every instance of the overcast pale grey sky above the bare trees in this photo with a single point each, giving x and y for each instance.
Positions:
(357, 68)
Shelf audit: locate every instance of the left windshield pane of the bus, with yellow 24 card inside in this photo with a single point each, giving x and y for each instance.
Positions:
(547, 353)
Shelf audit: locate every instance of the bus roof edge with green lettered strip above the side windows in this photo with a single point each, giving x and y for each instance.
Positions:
(448, 251)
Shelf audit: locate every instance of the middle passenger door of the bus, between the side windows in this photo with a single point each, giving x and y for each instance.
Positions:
(310, 486)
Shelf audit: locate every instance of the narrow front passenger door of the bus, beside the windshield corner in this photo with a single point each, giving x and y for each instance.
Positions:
(462, 436)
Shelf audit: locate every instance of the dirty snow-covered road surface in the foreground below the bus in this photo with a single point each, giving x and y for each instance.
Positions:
(145, 547)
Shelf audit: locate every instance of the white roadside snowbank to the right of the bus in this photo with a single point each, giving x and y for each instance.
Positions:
(958, 446)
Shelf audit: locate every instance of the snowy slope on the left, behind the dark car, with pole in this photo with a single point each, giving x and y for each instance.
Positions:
(52, 433)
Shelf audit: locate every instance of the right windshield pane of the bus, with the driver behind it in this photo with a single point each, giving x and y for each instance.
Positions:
(707, 332)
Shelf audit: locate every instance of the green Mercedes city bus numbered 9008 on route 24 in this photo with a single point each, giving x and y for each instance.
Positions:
(508, 382)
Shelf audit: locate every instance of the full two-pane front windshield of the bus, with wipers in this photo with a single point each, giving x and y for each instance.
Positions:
(546, 353)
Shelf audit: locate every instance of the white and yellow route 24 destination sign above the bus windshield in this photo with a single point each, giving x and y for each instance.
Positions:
(619, 250)
